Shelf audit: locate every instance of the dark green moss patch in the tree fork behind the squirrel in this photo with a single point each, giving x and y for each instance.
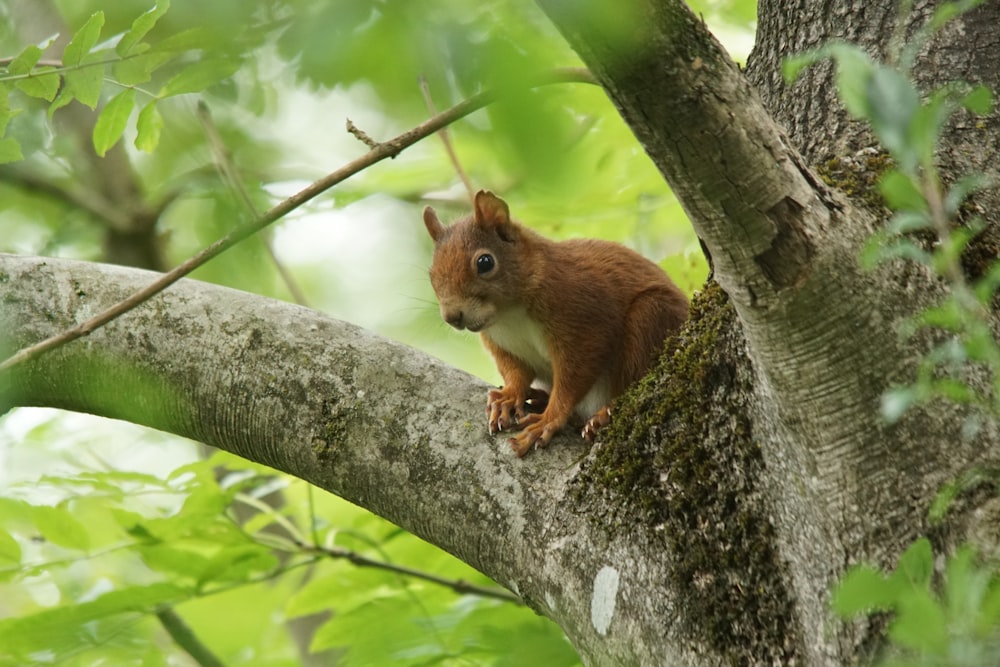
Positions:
(680, 457)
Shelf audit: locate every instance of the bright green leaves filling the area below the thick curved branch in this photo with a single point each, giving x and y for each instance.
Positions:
(90, 558)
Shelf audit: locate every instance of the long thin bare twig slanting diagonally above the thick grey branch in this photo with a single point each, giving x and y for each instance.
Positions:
(382, 151)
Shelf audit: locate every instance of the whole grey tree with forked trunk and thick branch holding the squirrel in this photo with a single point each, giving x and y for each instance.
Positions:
(736, 484)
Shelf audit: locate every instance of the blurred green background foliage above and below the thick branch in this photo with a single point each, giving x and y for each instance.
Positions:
(272, 84)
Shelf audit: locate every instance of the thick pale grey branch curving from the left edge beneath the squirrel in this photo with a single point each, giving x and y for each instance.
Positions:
(375, 422)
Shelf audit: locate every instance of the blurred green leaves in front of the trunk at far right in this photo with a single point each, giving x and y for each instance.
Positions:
(957, 621)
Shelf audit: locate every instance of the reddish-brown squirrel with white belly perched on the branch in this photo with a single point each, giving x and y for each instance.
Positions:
(583, 317)
